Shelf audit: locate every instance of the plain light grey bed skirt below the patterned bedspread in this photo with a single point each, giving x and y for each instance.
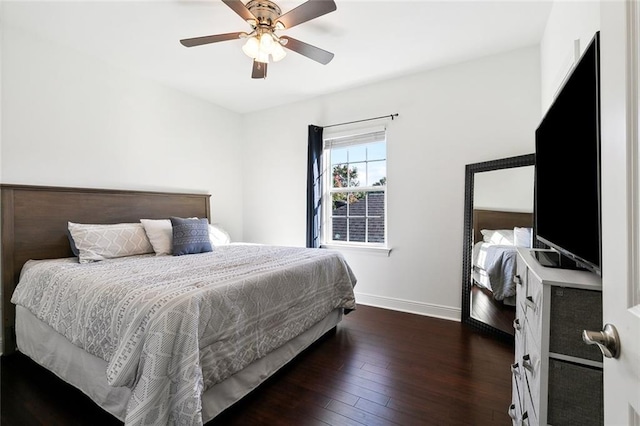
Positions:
(86, 372)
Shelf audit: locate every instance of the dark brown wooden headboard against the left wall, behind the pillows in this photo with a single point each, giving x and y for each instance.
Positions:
(34, 225)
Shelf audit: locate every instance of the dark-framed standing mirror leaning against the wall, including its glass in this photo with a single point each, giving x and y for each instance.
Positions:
(498, 218)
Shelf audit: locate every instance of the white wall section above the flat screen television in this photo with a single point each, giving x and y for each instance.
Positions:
(568, 21)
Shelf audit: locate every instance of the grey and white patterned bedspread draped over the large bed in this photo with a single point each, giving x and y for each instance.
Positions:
(169, 327)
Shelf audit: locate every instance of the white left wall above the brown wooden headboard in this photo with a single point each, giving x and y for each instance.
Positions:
(71, 120)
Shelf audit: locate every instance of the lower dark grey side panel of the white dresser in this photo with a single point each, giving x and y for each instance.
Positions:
(575, 394)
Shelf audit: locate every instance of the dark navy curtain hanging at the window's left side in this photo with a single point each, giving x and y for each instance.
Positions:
(314, 186)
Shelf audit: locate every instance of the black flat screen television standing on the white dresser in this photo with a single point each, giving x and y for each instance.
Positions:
(567, 172)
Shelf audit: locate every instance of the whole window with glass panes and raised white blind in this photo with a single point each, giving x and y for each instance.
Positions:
(354, 203)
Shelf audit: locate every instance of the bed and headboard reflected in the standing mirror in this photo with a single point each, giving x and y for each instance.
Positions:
(496, 235)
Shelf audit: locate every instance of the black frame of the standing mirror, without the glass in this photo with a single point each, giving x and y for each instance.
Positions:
(470, 171)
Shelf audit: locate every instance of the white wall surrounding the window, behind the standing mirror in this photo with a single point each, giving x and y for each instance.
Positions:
(472, 112)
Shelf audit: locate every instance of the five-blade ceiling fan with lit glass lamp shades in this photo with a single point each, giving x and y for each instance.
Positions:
(265, 18)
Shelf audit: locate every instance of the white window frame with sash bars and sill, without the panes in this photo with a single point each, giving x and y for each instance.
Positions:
(351, 139)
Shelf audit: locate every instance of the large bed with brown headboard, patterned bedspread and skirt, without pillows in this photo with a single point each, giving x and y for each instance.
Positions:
(183, 337)
